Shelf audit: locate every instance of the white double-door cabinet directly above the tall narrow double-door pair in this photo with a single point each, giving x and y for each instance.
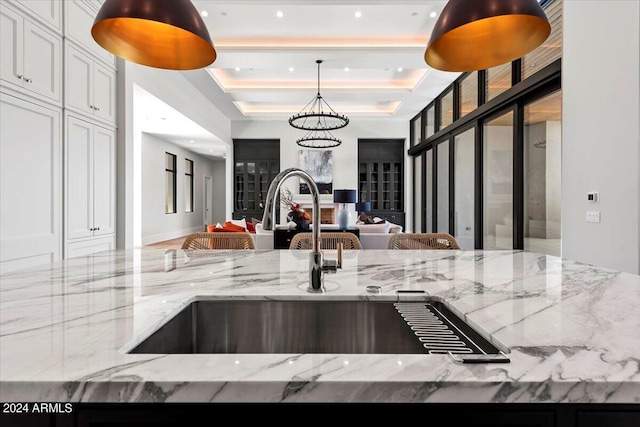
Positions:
(90, 88)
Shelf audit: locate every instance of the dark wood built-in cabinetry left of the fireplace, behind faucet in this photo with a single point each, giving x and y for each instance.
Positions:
(256, 163)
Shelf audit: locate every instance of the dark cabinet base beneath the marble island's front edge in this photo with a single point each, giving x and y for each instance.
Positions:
(472, 415)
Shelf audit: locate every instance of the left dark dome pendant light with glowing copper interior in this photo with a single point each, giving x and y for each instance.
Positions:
(167, 34)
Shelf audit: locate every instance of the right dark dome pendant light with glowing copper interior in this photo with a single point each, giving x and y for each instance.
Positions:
(479, 34)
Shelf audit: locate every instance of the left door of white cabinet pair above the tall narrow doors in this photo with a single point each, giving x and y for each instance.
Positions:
(78, 80)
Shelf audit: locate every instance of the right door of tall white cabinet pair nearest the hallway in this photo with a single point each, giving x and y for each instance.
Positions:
(104, 191)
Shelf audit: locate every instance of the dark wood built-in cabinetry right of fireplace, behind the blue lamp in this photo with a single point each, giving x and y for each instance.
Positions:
(381, 177)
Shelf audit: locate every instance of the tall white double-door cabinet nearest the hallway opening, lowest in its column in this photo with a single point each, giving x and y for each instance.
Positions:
(90, 180)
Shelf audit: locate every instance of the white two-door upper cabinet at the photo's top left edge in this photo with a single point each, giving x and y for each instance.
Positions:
(31, 57)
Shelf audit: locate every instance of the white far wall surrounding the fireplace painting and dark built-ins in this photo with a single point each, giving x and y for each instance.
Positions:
(345, 156)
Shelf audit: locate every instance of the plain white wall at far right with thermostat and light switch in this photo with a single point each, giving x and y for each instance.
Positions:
(601, 132)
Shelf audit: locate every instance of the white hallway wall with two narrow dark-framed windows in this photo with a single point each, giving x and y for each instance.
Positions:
(156, 224)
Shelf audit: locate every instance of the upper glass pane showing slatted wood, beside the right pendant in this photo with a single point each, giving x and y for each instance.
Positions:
(551, 49)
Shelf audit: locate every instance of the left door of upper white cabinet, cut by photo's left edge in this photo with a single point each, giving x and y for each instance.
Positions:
(11, 41)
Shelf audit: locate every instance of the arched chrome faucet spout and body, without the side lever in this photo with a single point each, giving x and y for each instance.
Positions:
(316, 264)
